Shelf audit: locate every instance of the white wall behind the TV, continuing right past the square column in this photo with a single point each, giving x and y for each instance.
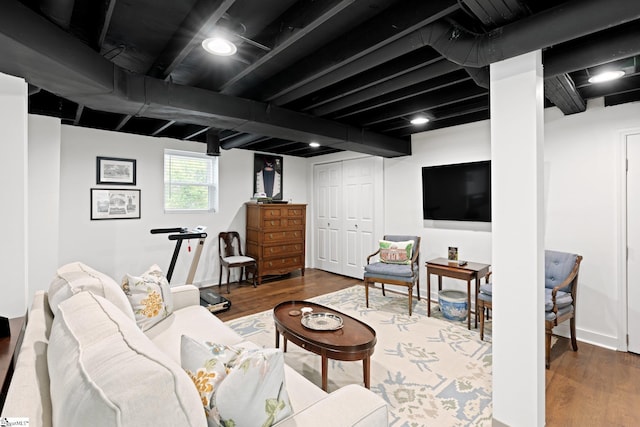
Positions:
(582, 166)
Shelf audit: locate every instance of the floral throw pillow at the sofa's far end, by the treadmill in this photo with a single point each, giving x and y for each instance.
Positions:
(149, 295)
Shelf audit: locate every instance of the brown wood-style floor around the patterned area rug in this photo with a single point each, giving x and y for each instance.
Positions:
(591, 387)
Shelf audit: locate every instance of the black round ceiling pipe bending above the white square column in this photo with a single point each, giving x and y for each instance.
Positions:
(550, 27)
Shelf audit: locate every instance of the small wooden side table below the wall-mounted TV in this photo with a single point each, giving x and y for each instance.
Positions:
(470, 271)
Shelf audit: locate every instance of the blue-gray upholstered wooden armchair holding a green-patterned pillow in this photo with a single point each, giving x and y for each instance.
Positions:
(393, 273)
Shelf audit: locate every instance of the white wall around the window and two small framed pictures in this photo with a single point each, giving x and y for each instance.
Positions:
(117, 247)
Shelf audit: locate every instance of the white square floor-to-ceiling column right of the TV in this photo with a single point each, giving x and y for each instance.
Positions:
(517, 137)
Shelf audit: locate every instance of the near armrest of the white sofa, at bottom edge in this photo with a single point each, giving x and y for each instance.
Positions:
(352, 405)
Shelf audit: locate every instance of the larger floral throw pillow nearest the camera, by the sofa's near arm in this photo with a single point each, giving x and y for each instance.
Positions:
(238, 387)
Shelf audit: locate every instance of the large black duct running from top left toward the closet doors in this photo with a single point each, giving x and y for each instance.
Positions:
(55, 61)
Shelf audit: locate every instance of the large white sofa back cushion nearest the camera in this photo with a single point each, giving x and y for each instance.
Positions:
(105, 372)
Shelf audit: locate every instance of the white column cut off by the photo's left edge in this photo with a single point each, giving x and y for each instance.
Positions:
(13, 203)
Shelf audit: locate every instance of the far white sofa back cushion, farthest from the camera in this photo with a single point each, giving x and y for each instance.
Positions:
(76, 277)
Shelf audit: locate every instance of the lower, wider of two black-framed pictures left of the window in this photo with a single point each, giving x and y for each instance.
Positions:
(115, 203)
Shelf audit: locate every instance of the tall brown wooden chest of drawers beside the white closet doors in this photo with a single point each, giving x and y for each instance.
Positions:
(276, 237)
